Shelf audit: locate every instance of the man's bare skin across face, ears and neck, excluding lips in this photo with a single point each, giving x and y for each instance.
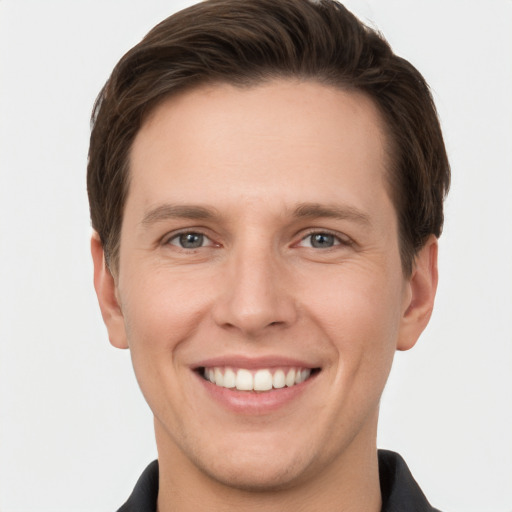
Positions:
(258, 287)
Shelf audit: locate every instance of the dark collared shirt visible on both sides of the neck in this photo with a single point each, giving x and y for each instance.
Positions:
(400, 492)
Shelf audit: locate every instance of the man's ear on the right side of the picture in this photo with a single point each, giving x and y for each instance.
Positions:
(419, 296)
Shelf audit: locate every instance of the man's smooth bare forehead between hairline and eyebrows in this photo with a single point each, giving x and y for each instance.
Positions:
(282, 138)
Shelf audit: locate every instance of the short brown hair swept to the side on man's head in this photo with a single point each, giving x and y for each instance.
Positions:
(246, 43)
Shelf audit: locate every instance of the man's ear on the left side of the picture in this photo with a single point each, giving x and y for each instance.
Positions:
(106, 291)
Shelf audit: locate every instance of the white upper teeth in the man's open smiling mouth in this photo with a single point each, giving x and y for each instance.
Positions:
(265, 379)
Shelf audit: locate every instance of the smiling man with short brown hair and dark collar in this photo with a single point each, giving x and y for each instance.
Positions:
(266, 182)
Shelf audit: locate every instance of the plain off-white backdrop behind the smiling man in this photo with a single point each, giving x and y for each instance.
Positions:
(75, 432)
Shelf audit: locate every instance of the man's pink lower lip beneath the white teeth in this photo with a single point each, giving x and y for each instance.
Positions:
(254, 402)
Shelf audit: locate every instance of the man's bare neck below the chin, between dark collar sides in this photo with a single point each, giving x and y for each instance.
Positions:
(348, 483)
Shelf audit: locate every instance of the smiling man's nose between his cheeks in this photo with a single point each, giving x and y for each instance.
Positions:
(256, 293)
